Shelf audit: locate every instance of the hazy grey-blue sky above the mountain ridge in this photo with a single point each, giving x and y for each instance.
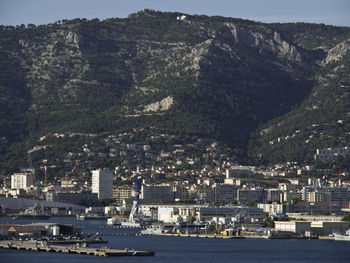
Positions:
(333, 12)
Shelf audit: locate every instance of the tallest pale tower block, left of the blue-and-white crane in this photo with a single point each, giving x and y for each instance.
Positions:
(102, 183)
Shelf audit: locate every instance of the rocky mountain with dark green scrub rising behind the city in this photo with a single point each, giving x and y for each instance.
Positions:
(245, 83)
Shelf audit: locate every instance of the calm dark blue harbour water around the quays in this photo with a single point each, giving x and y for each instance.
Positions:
(175, 249)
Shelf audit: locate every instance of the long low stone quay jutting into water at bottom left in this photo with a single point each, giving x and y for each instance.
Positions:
(72, 249)
